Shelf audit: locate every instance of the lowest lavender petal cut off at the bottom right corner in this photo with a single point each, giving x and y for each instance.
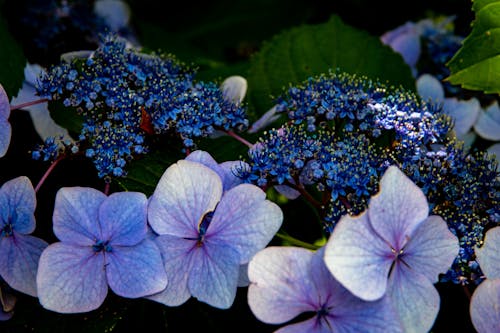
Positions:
(485, 305)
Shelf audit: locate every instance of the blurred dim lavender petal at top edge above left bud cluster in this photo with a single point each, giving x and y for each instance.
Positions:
(115, 13)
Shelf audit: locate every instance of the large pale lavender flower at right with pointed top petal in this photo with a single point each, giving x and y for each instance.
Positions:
(394, 248)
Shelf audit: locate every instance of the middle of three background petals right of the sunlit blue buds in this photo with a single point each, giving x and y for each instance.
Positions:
(464, 114)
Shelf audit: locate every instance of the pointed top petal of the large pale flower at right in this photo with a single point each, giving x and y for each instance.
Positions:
(397, 210)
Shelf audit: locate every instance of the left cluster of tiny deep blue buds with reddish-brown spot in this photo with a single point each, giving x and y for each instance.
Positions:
(125, 96)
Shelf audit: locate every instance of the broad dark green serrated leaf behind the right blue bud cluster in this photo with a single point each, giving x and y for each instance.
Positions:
(296, 54)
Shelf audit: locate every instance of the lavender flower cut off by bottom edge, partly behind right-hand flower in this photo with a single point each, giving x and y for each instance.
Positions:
(288, 281)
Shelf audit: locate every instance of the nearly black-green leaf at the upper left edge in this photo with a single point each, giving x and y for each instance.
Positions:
(12, 62)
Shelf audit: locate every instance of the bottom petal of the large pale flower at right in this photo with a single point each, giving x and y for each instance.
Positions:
(415, 298)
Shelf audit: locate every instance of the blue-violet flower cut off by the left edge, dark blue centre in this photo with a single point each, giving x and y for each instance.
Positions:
(19, 251)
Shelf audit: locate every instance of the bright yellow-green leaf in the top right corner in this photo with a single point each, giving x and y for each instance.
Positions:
(476, 65)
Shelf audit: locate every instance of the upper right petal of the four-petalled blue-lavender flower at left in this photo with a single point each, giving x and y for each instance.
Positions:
(123, 218)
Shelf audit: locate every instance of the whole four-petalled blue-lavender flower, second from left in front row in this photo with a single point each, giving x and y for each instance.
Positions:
(103, 242)
